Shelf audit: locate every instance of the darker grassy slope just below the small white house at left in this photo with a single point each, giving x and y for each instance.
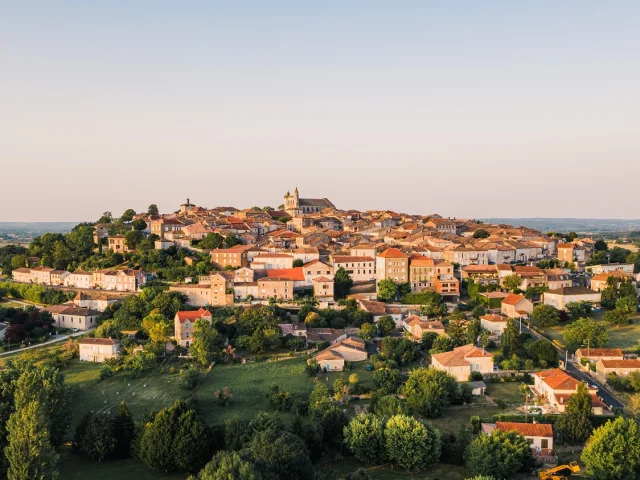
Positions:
(161, 390)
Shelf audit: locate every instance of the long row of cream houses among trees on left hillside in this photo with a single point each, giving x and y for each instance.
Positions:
(124, 280)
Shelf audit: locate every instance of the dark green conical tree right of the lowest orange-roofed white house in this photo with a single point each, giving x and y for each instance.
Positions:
(574, 426)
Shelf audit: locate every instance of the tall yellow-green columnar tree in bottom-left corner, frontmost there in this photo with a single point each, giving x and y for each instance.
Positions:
(29, 452)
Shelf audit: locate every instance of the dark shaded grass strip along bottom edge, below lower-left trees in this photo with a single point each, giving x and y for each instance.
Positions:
(76, 467)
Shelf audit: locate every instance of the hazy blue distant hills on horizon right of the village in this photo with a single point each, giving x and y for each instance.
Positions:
(579, 225)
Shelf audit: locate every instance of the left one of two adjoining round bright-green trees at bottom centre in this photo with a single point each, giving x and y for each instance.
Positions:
(365, 438)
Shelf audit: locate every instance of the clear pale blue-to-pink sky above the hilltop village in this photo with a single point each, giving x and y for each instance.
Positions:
(464, 108)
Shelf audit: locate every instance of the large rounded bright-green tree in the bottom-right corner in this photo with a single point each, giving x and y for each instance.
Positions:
(613, 451)
